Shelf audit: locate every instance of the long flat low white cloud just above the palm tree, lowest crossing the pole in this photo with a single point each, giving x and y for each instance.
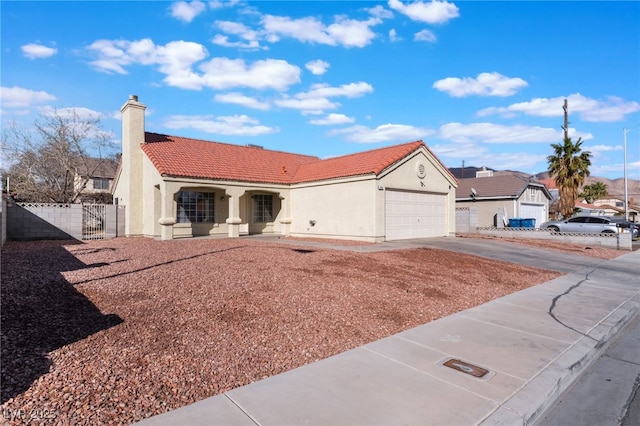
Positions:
(500, 134)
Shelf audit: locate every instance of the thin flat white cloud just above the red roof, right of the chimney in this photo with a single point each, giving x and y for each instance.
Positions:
(237, 125)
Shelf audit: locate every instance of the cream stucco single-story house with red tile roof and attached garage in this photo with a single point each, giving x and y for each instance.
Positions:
(179, 187)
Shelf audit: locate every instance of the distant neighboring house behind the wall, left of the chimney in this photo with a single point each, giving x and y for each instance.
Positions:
(94, 179)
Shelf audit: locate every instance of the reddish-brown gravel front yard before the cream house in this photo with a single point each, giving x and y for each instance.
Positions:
(114, 331)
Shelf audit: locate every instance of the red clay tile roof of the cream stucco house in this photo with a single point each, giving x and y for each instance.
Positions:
(177, 156)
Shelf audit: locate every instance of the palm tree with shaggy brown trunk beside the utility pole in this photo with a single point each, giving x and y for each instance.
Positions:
(569, 166)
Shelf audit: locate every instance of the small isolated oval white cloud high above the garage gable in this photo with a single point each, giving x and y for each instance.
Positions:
(486, 84)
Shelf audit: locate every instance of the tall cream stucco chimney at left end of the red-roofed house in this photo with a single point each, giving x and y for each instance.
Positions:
(129, 191)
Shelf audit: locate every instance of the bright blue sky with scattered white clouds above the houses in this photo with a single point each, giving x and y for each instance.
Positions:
(480, 82)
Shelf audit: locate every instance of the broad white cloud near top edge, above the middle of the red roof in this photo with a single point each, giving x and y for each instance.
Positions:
(343, 32)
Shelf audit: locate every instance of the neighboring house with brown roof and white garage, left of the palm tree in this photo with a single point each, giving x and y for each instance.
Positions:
(500, 198)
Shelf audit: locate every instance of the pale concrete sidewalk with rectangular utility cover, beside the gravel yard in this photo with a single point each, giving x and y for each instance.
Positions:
(533, 345)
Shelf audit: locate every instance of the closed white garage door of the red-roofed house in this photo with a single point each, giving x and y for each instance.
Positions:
(415, 215)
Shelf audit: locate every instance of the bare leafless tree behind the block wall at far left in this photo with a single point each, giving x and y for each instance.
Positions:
(51, 161)
